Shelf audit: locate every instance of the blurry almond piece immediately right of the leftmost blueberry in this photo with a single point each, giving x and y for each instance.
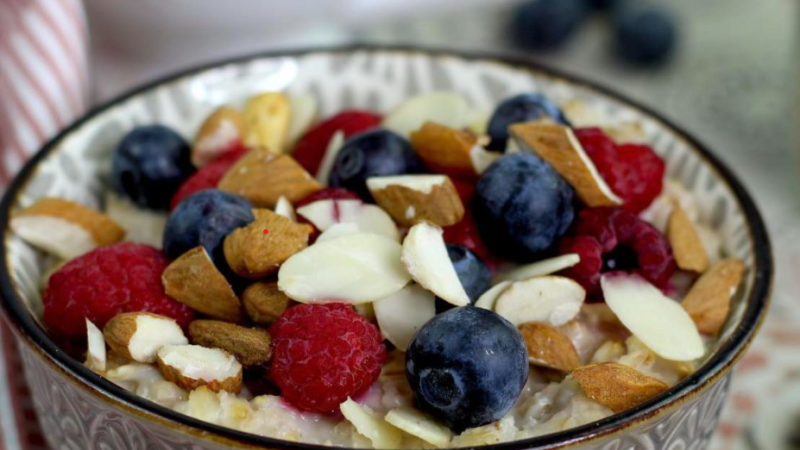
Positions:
(222, 130)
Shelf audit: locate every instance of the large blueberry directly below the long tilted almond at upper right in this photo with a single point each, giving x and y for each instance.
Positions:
(521, 206)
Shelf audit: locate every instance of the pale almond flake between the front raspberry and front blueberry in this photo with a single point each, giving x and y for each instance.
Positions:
(401, 314)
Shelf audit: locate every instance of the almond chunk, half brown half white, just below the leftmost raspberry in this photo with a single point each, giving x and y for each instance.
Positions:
(139, 336)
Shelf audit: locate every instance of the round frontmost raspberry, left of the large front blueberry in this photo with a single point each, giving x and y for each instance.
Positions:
(324, 353)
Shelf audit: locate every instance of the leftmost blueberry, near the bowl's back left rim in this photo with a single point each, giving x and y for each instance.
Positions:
(149, 165)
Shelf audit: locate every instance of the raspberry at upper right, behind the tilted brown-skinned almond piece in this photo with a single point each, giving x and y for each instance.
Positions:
(633, 171)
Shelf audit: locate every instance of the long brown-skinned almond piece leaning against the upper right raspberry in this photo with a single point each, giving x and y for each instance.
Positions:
(558, 145)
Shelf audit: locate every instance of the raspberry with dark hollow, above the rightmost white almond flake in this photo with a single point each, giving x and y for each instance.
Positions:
(611, 239)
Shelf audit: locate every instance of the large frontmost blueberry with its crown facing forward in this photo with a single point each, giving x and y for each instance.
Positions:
(467, 367)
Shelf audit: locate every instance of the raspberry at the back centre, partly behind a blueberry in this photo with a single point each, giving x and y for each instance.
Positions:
(310, 150)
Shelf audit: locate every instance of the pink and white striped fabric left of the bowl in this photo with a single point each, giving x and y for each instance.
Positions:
(43, 87)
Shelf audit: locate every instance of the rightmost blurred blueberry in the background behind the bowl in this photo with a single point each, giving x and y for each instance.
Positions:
(644, 35)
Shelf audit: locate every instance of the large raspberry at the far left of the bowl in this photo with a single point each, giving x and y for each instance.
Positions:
(124, 277)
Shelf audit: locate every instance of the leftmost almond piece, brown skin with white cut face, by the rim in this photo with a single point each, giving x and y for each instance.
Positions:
(65, 228)
